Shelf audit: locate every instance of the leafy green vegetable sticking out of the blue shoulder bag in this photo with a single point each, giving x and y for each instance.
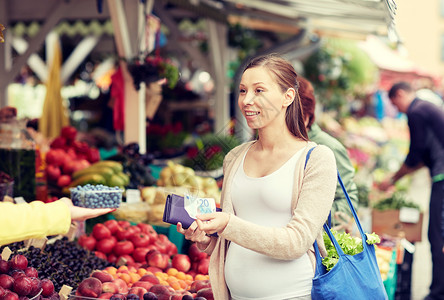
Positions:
(350, 245)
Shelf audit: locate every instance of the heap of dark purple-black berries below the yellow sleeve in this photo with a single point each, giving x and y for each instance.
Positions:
(63, 262)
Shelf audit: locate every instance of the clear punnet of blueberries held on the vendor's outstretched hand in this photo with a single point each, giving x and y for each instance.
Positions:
(96, 196)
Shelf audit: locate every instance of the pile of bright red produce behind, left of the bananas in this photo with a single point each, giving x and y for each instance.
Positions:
(66, 156)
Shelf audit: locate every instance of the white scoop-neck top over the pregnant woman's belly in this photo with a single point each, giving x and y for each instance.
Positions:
(265, 201)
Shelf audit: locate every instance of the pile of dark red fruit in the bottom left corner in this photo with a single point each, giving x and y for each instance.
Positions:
(20, 281)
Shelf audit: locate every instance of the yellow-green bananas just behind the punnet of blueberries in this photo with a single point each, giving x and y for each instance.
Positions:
(106, 172)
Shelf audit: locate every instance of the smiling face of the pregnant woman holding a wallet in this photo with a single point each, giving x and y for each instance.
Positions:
(261, 99)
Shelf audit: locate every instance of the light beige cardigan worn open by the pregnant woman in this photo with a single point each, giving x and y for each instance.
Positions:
(313, 195)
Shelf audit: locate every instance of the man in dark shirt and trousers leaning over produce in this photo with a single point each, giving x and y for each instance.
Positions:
(426, 125)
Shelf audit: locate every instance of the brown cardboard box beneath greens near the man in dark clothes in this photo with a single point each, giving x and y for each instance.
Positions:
(388, 222)
